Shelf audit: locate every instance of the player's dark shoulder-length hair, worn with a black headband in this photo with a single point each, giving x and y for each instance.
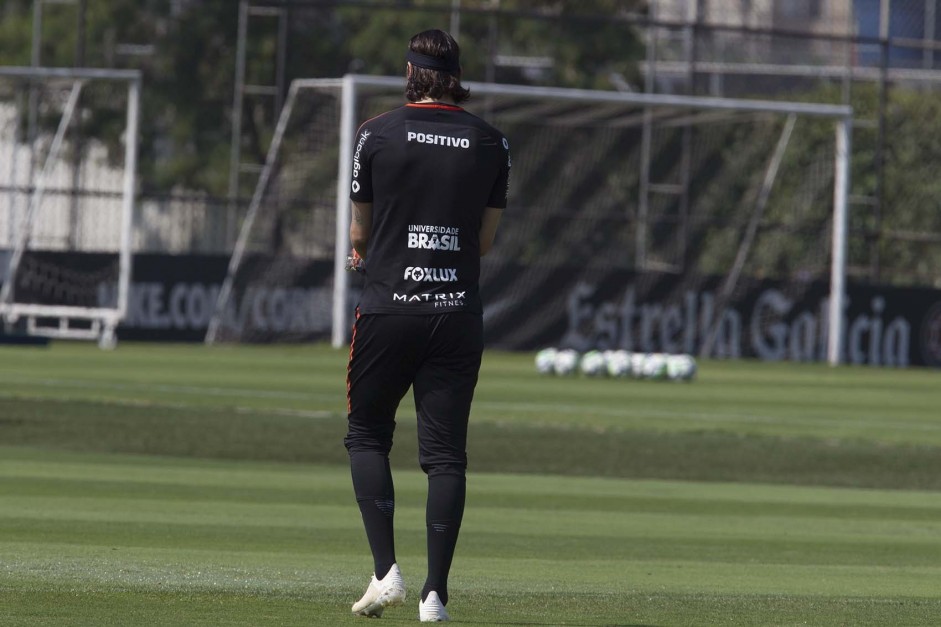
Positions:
(427, 83)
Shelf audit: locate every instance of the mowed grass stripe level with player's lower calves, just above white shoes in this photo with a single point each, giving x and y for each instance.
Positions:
(618, 545)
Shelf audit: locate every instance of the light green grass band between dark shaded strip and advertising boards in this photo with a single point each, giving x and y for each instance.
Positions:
(800, 400)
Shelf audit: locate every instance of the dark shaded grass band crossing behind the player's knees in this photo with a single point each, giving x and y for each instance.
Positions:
(575, 449)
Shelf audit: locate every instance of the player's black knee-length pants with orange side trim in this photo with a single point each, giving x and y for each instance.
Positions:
(439, 357)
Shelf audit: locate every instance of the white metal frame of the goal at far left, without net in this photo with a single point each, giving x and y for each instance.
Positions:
(97, 323)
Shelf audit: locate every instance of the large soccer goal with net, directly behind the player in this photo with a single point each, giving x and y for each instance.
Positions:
(678, 205)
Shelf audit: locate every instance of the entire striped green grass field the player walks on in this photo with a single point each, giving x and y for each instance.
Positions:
(180, 485)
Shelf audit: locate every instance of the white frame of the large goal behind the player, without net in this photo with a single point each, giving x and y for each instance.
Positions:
(350, 85)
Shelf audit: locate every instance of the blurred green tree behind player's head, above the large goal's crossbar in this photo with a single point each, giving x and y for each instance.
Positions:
(549, 42)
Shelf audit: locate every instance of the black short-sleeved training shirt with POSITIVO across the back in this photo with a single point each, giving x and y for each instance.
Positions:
(429, 171)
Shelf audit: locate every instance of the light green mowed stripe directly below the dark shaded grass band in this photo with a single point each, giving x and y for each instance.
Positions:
(67, 473)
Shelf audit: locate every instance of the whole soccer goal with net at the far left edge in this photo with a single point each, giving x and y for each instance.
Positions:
(68, 152)
